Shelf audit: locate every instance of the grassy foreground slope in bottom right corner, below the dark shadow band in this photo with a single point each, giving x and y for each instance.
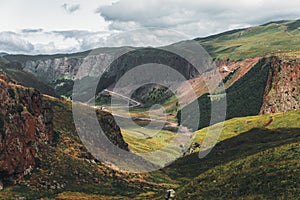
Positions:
(269, 174)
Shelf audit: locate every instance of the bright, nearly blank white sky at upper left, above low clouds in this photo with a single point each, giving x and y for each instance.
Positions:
(50, 15)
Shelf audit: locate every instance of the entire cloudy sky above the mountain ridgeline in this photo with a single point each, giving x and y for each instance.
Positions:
(57, 26)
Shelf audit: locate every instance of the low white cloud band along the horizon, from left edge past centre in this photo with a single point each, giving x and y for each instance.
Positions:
(42, 42)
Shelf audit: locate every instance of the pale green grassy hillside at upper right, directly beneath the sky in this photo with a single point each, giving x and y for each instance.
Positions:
(255, 41)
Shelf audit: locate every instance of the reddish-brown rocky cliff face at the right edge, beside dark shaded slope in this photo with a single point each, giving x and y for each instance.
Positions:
(282, 89)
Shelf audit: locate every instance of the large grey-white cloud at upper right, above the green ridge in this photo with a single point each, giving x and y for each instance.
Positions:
(197, 18)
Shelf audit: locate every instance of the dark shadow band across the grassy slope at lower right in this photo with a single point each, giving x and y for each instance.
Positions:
(239, 147)
